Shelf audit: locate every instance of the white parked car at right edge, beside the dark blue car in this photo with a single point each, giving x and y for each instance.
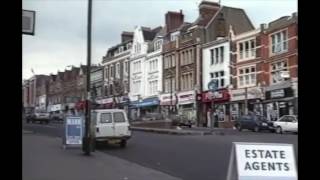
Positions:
(286, 123)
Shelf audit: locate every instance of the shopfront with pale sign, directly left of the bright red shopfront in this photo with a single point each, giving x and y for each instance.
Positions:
(187, 105)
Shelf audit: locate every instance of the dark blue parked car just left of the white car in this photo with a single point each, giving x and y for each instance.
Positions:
(254, 123)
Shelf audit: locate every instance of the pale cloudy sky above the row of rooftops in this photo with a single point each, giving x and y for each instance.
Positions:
(60, 38)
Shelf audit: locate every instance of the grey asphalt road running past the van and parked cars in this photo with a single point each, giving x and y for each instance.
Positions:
(185, 157)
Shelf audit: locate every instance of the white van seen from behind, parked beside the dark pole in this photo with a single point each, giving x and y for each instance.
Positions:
(111, 125)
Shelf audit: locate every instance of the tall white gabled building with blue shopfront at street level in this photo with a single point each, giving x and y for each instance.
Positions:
(145, 71)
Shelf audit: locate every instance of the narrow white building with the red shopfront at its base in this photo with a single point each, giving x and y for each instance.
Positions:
(216, 66)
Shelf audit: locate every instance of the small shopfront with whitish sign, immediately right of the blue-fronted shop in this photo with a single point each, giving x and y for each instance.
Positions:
(168, 103)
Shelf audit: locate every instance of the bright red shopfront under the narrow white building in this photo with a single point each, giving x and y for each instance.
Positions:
(218, 104)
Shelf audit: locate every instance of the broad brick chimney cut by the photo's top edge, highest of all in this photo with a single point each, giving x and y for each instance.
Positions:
(208, 9)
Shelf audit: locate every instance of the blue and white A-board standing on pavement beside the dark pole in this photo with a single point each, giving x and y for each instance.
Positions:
(74, 130)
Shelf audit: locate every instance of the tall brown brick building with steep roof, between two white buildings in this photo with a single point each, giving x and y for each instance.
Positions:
(183, 54)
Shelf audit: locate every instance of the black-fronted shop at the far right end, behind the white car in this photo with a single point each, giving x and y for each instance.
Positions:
(280, 102)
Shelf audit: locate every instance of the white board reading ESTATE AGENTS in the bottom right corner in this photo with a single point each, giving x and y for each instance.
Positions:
(251, 161)
